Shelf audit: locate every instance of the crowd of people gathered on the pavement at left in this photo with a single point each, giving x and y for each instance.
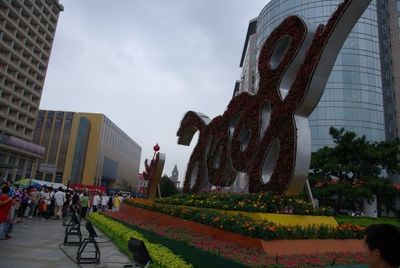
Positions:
(17, 204)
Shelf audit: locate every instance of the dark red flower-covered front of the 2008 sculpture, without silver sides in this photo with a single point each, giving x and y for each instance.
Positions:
(234, 142)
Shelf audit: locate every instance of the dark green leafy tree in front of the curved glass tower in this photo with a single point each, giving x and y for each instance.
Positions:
(354, 169)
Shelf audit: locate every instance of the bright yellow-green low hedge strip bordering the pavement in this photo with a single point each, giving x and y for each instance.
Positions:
(160, 255)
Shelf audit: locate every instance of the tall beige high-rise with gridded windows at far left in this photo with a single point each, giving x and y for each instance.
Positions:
(27, 30)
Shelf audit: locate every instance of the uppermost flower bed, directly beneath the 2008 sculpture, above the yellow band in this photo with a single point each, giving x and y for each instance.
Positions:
(260, 202)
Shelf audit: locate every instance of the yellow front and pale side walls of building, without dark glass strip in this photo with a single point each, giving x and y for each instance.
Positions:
(105, 140)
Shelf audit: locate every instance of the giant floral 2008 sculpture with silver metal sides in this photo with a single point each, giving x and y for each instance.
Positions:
(267, 135)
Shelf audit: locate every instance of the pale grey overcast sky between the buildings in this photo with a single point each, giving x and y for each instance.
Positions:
(145, 63)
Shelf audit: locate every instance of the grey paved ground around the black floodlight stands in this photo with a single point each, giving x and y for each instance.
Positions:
(35, 244)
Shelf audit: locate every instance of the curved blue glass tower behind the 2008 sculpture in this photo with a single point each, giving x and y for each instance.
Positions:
(353, 94)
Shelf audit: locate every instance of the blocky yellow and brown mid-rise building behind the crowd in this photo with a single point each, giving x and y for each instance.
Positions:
(86, 149)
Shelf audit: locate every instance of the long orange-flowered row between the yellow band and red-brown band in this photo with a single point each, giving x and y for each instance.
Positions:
(252, 227)
